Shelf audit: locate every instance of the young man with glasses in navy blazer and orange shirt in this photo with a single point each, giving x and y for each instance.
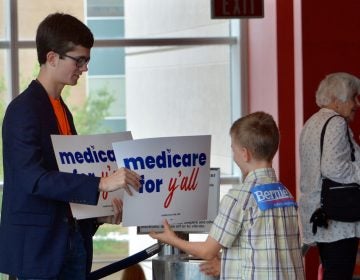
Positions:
(39, 238)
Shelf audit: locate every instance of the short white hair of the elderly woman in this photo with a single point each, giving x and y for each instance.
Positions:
(341, 86)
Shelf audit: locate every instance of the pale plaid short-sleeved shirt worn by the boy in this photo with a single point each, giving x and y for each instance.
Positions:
(257, 244)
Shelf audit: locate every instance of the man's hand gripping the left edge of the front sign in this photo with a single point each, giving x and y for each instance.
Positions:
(123, 178)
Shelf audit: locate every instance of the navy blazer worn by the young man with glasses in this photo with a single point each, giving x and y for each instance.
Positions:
(34, 228)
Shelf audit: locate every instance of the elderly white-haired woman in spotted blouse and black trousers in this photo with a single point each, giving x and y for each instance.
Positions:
(338, 243)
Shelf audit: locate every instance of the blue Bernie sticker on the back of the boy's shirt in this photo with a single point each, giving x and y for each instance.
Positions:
(271, 196)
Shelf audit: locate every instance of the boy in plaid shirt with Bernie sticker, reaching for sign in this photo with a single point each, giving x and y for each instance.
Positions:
(257, 226)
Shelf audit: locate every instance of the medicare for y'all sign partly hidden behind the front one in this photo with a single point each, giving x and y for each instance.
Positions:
(92, 155)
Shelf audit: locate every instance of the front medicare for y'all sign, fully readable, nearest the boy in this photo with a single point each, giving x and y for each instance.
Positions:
(175, 175)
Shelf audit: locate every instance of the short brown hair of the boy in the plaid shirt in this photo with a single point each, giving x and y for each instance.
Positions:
(258, 133)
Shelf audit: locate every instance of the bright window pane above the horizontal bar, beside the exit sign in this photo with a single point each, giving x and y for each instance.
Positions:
(164, 18)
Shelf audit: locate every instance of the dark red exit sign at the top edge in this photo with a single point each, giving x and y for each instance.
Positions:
(237, 8)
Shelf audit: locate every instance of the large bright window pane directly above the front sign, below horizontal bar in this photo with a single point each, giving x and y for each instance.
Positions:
(181, 91)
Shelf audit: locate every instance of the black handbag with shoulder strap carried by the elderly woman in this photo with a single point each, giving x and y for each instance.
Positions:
(339, 202)
